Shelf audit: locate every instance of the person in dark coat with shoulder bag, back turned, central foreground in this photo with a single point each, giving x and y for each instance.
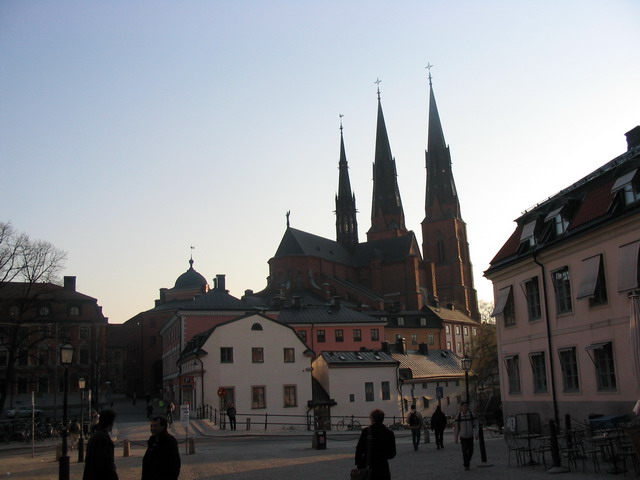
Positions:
(376, 445)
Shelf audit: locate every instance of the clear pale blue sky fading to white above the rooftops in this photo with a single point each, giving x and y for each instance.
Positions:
(132, 130)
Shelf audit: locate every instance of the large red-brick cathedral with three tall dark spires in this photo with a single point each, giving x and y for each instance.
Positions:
(388, 272)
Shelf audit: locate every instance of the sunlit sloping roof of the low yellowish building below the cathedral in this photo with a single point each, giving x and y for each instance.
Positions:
(435, 363)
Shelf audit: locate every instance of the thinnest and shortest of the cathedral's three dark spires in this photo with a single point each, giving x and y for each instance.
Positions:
(346, 222)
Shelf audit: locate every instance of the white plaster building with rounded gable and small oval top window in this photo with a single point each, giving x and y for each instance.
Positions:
(262, 366)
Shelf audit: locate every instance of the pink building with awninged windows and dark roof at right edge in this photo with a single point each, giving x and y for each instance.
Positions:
(565, 284)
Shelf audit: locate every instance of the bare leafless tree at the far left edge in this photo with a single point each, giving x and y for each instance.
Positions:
(24, 263)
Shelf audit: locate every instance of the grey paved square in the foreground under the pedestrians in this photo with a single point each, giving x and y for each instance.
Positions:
(224, 455)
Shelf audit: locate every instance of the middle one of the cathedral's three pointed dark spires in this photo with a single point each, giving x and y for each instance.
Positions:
(387, 215)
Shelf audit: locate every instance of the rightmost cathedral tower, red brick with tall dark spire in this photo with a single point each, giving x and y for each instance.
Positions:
(444, 233)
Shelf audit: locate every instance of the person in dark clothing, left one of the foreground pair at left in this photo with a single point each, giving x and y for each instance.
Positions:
(100, 459)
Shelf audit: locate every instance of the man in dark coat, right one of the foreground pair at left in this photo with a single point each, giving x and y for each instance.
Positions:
(161, 461)
